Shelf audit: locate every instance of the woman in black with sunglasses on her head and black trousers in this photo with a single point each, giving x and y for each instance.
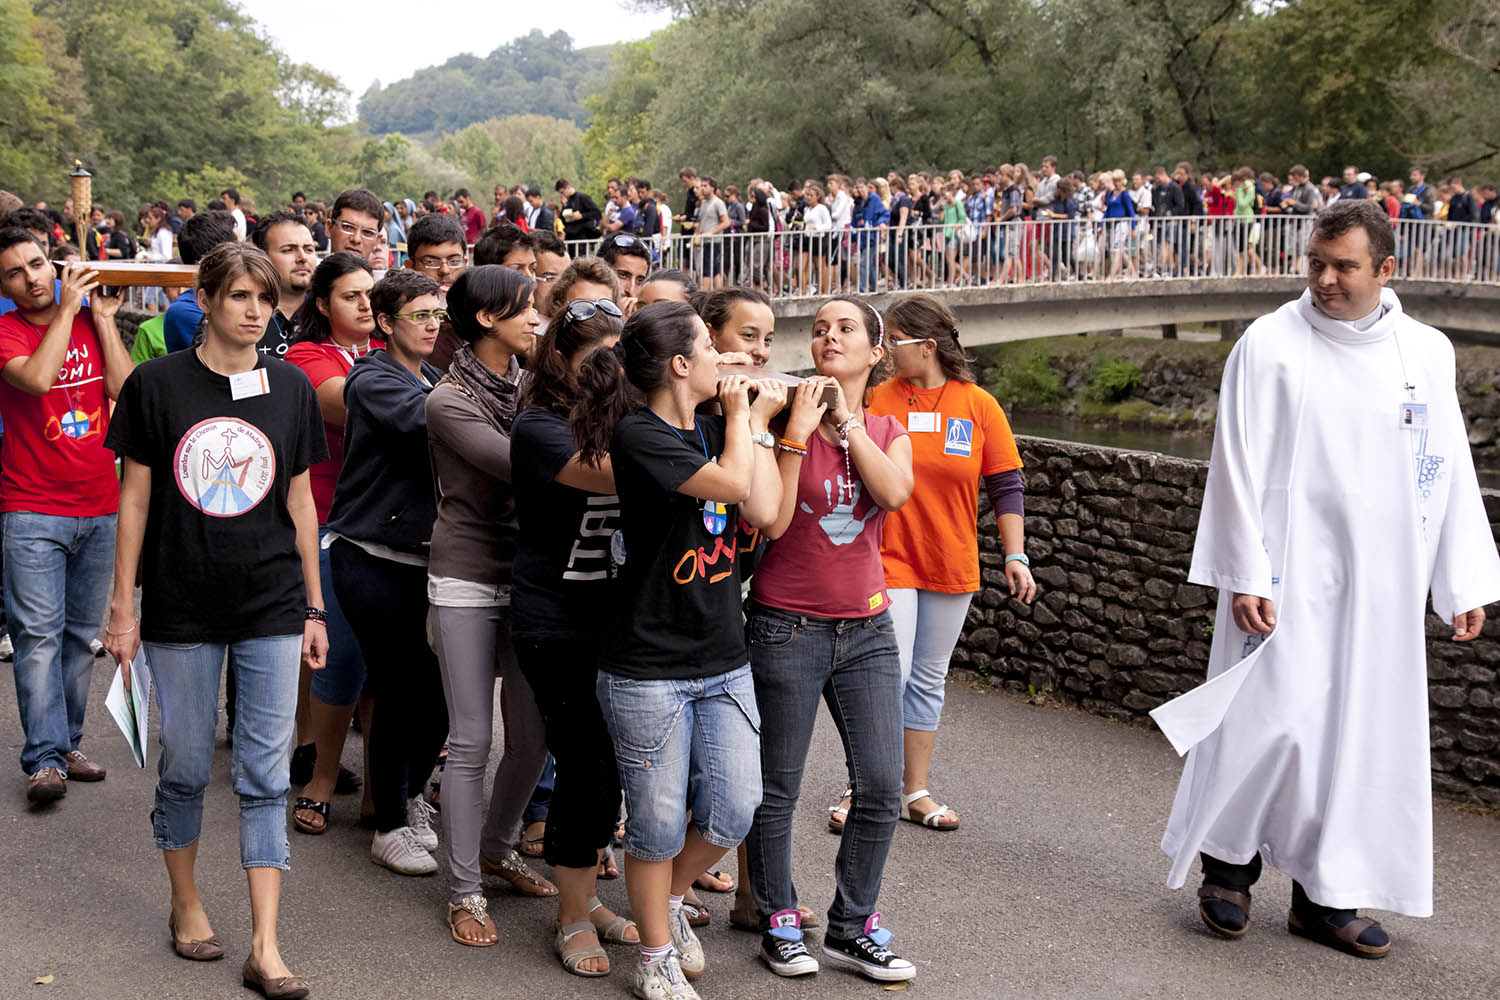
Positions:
(566, 569)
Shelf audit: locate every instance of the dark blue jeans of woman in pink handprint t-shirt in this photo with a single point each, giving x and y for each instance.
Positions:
(854, 666)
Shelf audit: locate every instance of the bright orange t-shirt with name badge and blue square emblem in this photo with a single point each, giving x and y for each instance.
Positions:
(959, 434)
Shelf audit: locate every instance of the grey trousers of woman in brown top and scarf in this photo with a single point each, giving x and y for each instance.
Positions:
(473, 647)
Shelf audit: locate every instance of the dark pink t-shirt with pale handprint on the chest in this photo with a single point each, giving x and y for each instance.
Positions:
(829, 561)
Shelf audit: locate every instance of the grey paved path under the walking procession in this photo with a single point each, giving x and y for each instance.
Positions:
(1052, 888)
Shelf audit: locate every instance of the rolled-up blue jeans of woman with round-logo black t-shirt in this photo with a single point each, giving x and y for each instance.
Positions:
(187, 680)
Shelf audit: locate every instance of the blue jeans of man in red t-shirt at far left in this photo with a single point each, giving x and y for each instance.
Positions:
(56, 588)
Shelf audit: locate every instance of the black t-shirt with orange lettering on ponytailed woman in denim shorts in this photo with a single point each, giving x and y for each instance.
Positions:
(679, 609)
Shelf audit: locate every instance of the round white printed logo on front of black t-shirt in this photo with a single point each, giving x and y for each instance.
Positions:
(224, 467)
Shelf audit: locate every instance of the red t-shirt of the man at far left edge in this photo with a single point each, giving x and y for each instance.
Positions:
(55, 461)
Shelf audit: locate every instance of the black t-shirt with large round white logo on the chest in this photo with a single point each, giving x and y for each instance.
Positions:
(220, 561)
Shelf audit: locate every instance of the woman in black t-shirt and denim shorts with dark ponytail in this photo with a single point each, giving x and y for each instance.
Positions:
(674, 681)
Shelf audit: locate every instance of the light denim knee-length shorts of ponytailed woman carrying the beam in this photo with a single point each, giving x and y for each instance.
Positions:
(685, 746)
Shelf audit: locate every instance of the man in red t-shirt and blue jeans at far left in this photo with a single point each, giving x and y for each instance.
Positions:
(61, 365)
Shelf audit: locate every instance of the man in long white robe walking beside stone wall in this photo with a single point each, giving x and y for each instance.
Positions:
(1340, 496)
